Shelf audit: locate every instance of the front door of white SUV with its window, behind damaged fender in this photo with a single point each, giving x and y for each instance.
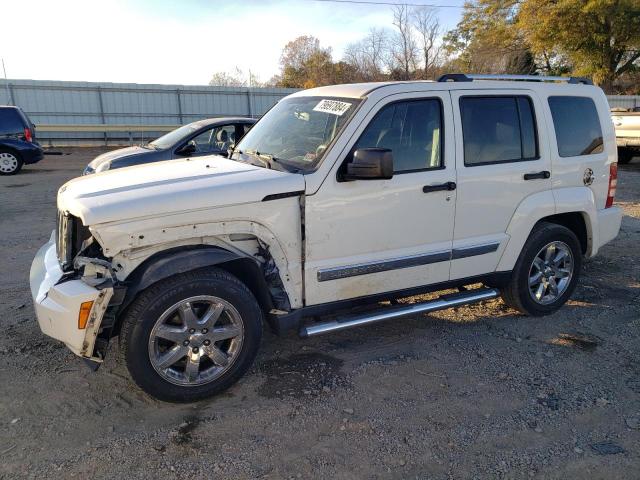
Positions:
(365, 237)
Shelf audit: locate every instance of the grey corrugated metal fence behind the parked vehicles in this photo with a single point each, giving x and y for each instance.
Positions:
(103, 103)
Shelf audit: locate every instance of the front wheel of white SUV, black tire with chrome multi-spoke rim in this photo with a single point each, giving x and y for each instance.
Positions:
(191, 336)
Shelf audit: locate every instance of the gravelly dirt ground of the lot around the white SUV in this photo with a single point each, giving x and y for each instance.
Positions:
(475, 392)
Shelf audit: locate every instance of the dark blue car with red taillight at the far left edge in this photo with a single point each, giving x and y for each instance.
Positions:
(18, 144)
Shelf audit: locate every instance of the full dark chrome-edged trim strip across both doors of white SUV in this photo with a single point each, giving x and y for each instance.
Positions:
(335, 273)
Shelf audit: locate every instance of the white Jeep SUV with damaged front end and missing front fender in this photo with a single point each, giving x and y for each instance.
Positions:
(339, 196)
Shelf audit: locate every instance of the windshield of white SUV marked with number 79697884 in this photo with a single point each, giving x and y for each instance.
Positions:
(296, 132)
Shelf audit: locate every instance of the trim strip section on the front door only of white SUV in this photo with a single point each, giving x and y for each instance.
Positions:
(383, 266)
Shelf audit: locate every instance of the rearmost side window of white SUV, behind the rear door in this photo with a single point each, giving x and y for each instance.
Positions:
(577, 126)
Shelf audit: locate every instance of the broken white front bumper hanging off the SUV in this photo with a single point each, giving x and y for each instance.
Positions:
(57, 302)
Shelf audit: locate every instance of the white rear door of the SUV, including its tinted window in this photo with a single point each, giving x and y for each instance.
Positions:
(502, 158)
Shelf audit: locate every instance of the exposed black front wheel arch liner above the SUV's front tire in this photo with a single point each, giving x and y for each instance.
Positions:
(178, 260)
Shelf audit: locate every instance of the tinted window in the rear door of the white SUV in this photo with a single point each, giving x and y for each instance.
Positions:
(498, 129)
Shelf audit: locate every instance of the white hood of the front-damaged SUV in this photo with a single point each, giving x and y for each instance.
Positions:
(170, 187)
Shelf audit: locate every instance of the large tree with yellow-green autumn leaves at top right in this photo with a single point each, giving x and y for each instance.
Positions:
(595, 38)
